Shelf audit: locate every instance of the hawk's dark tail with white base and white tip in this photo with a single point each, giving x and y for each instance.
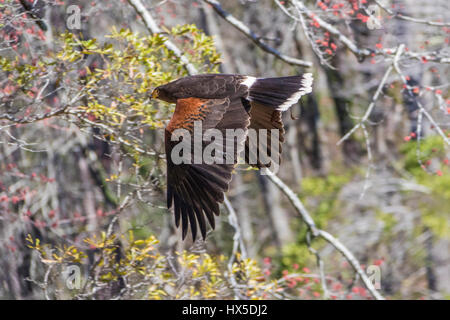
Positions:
(280, 93)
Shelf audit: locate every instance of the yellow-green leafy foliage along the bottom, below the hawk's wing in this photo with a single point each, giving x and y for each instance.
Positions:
(144, 272)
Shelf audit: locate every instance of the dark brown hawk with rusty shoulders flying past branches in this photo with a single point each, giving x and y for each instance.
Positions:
(221, 102)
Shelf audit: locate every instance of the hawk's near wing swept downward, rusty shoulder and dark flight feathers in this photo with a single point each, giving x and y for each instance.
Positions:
(196, 189)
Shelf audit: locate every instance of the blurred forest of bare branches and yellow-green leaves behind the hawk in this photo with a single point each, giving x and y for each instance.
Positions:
(358, 210)
